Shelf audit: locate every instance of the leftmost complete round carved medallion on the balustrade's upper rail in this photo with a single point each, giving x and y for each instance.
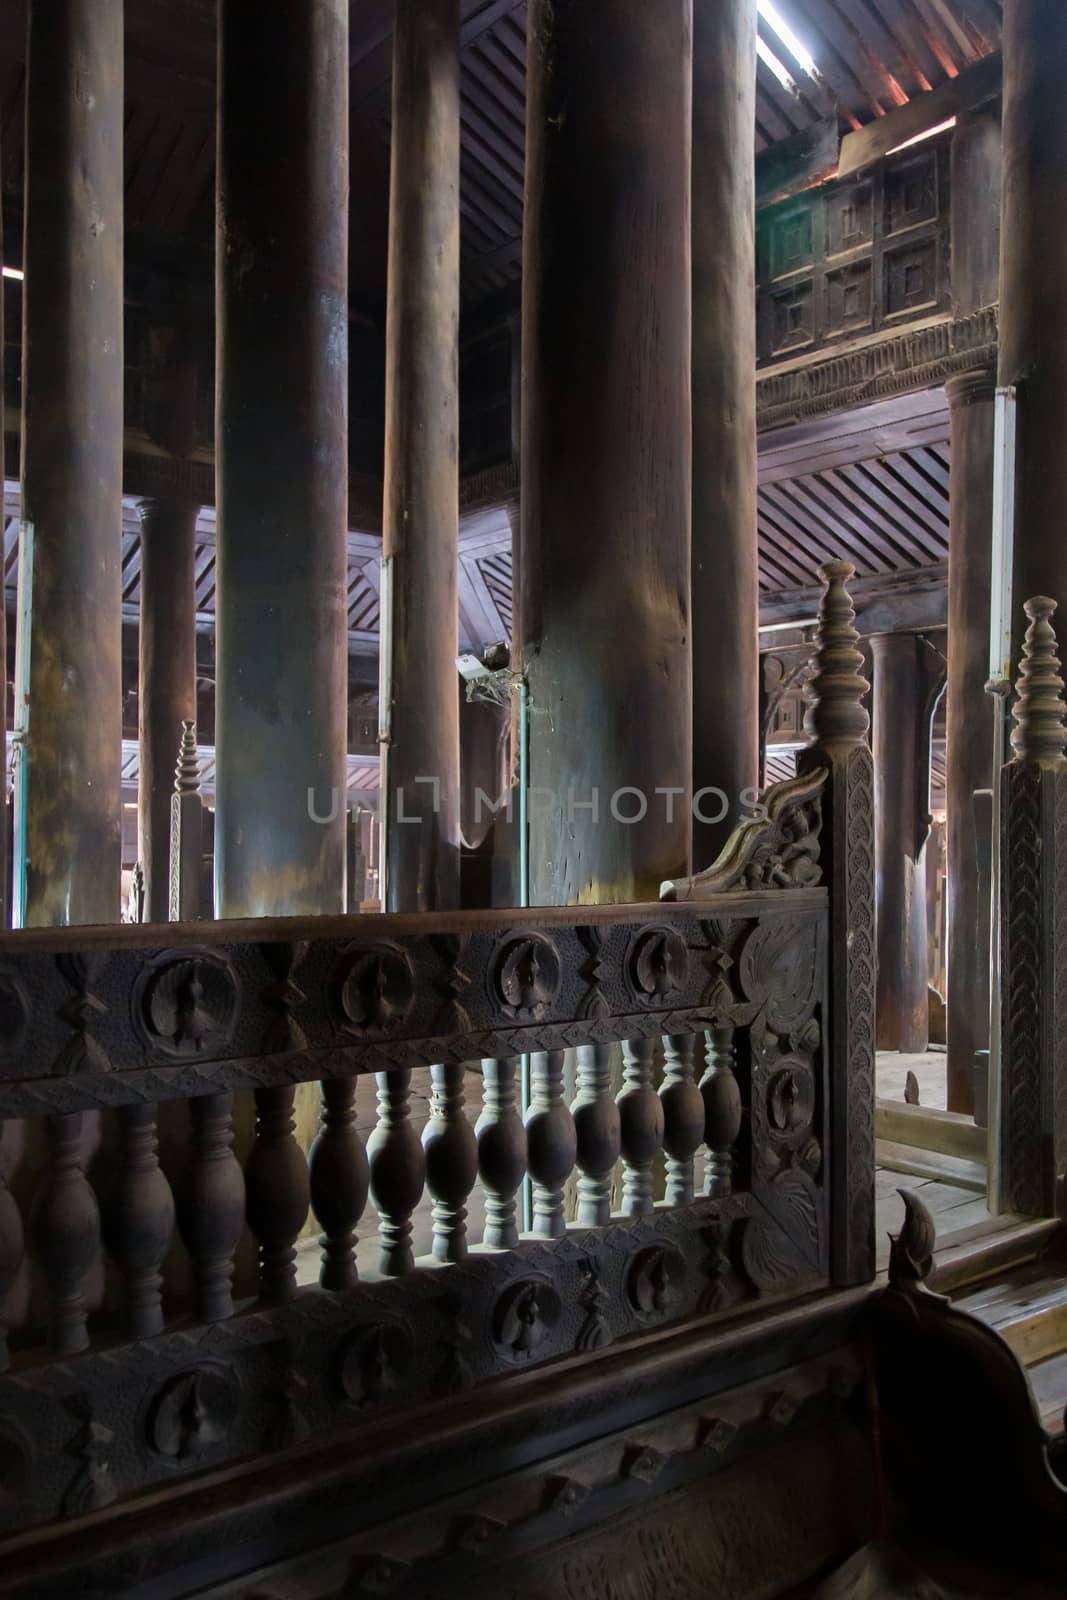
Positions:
(186, 1006)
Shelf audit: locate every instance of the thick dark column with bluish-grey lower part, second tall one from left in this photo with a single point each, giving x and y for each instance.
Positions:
(282, 457)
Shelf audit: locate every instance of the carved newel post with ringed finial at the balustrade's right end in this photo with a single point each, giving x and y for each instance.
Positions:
(839, 722)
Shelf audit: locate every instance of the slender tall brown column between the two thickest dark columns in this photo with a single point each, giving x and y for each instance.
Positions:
(422, 529)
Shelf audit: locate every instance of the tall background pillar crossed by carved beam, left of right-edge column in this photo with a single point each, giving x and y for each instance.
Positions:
(969, 710)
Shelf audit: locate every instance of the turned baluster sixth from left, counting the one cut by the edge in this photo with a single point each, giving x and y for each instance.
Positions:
(340, 1182)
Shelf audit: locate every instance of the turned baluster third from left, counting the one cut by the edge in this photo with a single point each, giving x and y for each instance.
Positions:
(142, 1222)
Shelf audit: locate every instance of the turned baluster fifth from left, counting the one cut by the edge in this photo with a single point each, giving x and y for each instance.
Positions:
(278, 1193)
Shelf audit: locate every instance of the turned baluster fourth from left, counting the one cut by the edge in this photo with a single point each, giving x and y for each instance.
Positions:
(212, 1206)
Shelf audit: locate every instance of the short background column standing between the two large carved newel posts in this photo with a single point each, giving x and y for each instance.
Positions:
(901, 825)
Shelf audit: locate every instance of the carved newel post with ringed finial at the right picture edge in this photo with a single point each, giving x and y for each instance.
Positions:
(1033, 930)
